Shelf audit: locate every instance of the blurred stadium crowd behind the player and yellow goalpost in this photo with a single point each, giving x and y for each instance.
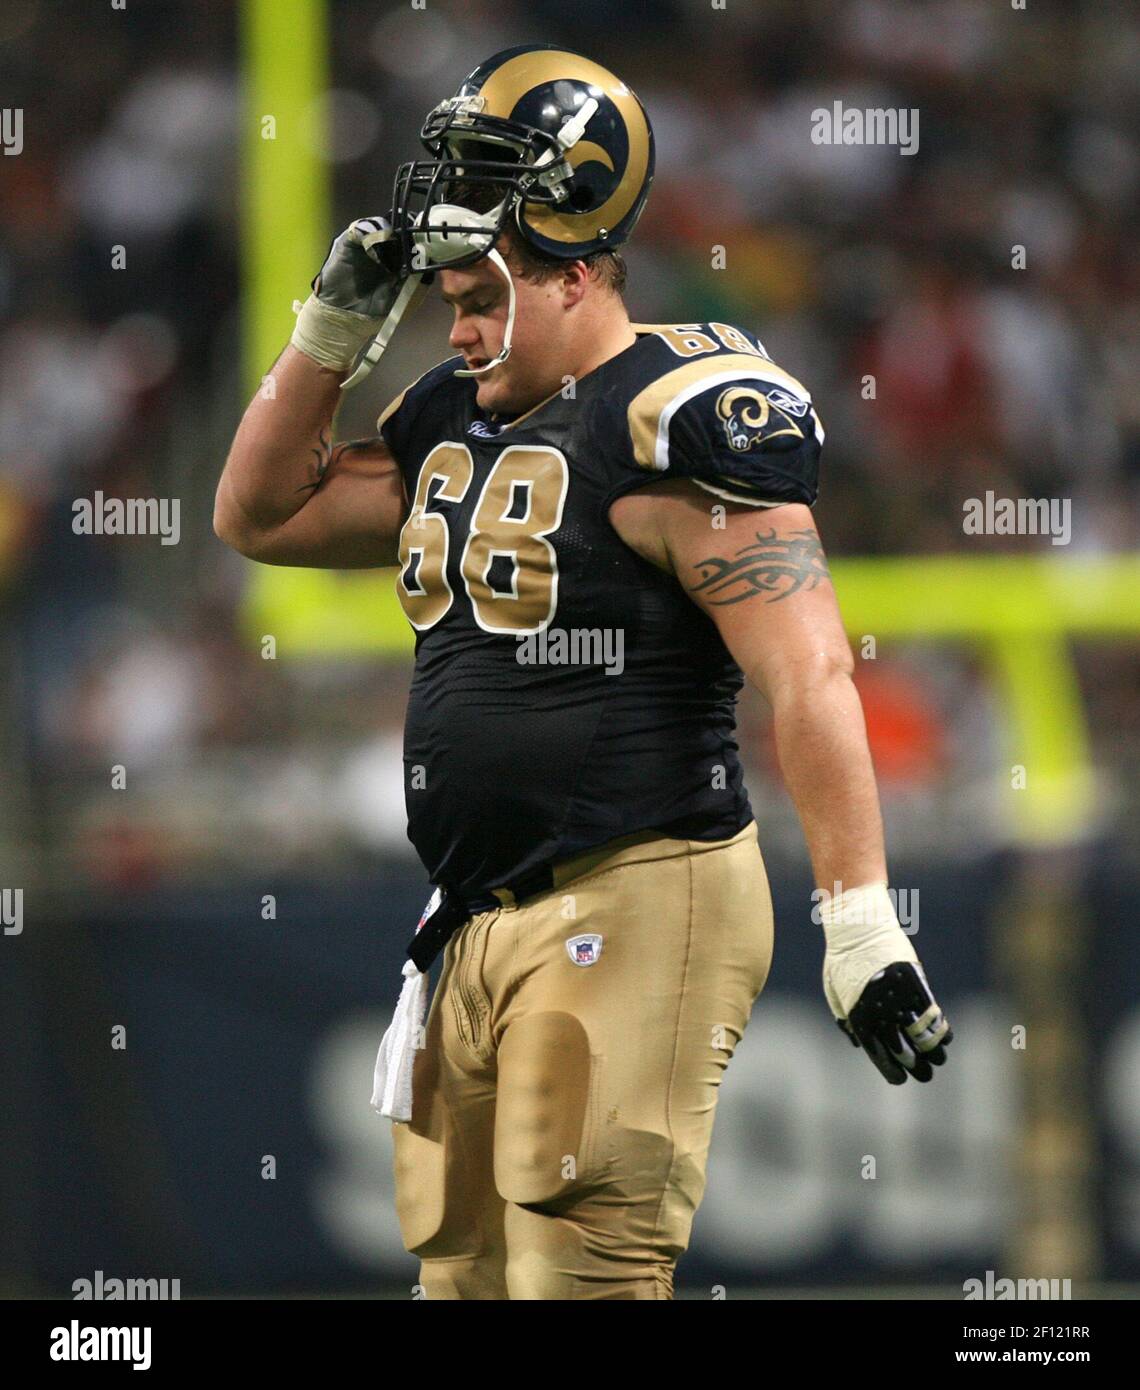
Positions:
(945, 365)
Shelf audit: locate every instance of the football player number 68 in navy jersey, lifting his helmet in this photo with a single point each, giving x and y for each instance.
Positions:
(601, 529)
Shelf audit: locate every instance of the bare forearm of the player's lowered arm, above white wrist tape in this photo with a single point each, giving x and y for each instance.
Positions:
(821, 742)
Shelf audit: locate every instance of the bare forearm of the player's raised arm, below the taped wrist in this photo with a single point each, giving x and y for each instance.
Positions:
(280, 451)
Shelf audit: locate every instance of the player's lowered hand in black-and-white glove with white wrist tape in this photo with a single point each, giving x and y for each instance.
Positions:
(878, 990)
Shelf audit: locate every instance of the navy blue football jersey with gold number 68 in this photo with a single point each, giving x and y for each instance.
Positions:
(567, 692)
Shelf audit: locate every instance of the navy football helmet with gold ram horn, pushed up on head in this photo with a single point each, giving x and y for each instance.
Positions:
(539, 138)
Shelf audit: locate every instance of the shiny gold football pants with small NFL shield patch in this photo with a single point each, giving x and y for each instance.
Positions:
(562, 1111)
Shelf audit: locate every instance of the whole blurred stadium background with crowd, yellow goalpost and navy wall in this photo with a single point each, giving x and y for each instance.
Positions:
(142, 907)
